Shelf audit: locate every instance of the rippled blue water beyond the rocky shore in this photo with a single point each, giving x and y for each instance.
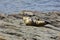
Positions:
(15, 6)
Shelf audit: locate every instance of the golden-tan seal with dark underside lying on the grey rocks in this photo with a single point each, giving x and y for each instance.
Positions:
(31, 22)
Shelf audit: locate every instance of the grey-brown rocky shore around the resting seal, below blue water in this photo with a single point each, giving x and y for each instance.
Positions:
(12, 26)
